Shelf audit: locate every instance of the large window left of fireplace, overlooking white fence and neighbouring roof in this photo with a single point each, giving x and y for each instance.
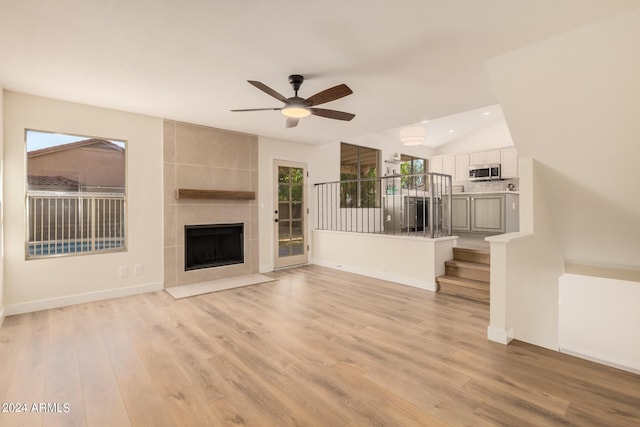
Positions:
(76, 194)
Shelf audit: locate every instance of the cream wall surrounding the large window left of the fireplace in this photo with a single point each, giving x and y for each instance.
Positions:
(43, 283)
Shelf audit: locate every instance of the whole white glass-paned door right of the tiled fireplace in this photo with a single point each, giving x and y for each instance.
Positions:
(290, 212)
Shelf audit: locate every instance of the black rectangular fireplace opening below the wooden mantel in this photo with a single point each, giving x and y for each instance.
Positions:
(213, 245)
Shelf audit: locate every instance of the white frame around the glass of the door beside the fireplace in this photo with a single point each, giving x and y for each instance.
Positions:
(293, 260)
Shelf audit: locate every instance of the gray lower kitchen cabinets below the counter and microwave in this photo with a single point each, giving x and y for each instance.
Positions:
(486, 213)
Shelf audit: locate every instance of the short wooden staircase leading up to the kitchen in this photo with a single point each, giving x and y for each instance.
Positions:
(467, 275)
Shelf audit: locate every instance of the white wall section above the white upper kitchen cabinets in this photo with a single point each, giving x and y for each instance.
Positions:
(494, 135)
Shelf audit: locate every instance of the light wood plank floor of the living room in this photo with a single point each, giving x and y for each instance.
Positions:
(316, 348)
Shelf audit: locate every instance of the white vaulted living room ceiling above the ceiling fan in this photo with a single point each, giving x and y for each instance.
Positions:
(406, 61)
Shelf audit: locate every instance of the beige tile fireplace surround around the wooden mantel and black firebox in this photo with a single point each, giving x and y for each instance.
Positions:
(202, 158)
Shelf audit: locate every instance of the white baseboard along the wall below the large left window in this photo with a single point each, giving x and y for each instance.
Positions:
(45, 304)
